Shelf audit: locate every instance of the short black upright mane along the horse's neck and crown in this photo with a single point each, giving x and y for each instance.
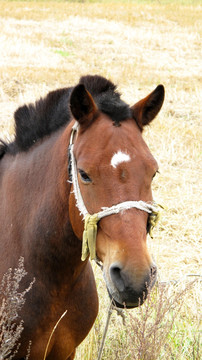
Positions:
(34, 121)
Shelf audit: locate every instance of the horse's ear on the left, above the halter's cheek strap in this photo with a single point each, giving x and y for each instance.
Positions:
(82, 105)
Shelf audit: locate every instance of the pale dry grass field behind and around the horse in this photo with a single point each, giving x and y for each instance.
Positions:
(45, 45)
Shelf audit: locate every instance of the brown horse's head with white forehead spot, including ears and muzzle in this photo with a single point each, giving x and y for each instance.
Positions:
(114, 165)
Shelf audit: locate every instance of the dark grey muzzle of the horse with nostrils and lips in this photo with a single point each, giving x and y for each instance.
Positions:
(124, 291)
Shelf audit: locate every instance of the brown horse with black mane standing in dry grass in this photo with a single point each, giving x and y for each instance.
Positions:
(87, 137)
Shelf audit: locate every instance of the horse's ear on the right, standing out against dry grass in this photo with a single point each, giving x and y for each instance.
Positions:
(145, 110)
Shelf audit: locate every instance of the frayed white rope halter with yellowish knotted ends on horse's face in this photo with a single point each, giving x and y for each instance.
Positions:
(91, 221)
